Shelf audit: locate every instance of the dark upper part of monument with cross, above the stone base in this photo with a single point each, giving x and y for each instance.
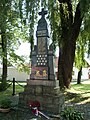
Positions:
(41, 67)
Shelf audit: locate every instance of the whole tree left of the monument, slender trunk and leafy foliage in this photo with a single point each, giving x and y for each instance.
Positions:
(13, 29)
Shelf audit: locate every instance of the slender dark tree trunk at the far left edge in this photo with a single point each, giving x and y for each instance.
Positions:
(4, 9)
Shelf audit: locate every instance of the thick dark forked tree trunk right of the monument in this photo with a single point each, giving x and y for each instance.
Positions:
(70, 32)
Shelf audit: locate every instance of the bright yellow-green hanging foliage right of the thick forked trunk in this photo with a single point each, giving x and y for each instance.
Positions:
(83, 43)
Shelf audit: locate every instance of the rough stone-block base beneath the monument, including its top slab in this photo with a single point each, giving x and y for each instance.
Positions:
(46, 92)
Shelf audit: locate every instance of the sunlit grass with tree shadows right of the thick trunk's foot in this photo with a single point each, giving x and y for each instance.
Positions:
(78, 93)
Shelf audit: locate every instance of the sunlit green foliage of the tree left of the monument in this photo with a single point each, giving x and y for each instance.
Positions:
(15, 30)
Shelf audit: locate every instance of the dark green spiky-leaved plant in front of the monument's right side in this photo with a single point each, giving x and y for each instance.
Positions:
(71, 114)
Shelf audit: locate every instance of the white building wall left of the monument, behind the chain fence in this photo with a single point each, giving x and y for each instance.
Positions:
(14, 73)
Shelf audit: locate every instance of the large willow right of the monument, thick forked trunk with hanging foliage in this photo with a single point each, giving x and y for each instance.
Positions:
(69, 20)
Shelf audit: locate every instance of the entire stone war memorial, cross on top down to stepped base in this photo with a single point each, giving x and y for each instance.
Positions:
(42, 86)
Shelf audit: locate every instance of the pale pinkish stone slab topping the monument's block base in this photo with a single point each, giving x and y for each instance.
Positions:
(54, 83)
